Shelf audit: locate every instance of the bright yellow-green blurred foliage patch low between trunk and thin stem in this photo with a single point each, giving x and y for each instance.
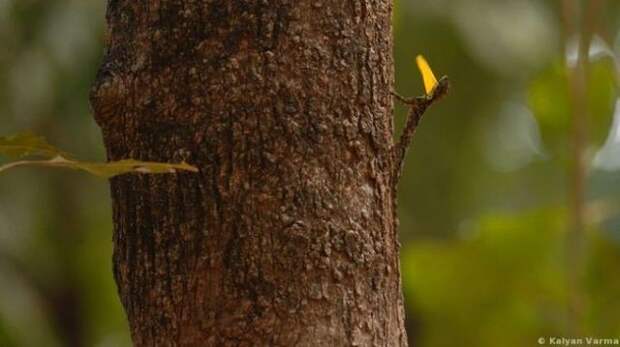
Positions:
(500, 281)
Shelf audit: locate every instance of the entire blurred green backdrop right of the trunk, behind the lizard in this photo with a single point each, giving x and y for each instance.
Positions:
(485, 208)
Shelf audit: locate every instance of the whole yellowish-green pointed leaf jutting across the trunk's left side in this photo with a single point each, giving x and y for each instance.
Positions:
(29, 145)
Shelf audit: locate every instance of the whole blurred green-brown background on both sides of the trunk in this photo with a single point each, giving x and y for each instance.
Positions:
(509, 204)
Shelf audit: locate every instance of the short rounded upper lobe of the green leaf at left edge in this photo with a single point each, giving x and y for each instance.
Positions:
(27, 144)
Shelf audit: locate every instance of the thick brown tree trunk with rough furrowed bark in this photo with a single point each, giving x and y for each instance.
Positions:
(286, 236)
